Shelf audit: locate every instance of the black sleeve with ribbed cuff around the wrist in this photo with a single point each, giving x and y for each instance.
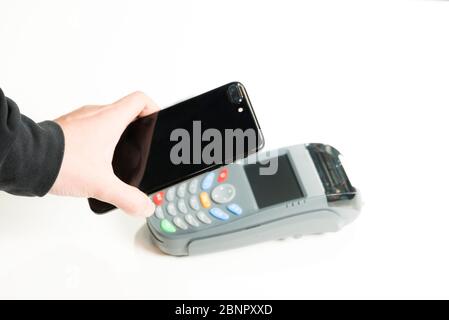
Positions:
(30, 153)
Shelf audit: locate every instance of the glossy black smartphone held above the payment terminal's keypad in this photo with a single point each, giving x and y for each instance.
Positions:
(185, 140)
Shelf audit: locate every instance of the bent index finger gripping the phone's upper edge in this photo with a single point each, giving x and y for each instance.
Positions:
(135, 105)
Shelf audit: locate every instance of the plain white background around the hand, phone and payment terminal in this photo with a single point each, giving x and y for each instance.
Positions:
(368, 77)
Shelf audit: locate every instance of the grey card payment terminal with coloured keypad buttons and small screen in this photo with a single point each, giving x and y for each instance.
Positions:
(293, 191)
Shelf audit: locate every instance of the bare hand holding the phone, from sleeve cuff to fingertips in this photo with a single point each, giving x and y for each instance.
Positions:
(91, 135)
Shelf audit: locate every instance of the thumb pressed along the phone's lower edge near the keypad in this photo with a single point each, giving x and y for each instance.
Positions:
(128, 198)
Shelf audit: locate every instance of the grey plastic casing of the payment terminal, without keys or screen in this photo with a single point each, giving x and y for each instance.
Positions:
(311, 214)
